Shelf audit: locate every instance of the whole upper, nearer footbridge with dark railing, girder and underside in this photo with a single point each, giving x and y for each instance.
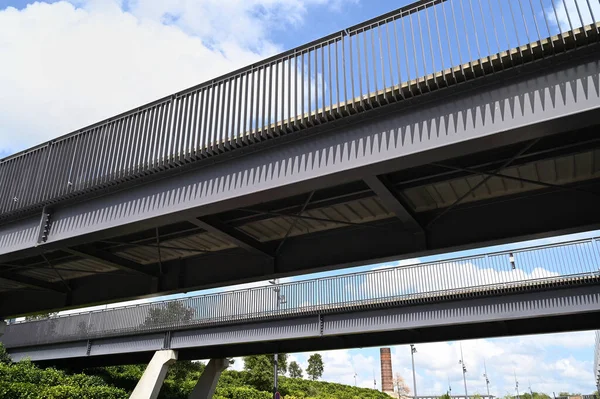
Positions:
(438, 126)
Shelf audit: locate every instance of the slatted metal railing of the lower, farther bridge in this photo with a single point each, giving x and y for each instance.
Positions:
(532, 268)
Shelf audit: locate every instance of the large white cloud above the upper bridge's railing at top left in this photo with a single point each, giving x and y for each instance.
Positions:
(66, 65)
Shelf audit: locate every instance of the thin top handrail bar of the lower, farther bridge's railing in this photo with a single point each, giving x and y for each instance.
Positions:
(308, 281)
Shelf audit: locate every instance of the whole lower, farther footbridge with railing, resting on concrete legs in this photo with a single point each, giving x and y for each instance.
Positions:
(541, 289)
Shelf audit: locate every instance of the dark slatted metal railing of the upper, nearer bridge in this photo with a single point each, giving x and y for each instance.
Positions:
(413, 50)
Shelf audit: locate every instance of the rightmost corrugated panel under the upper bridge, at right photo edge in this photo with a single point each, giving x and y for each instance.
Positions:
(563, 170)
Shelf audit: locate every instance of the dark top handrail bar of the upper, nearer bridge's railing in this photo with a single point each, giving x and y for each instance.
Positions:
(390, 16)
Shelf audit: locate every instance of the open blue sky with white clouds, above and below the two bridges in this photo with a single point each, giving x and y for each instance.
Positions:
(69, 64)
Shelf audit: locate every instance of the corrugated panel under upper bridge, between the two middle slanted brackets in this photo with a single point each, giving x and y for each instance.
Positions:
(358, 211)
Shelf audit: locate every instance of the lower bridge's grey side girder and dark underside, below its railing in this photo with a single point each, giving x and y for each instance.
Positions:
(552, 310)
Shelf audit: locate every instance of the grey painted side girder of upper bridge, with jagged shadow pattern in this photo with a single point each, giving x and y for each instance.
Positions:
(500, 114)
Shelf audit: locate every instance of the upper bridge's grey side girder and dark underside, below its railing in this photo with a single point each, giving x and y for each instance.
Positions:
(511, 158)
